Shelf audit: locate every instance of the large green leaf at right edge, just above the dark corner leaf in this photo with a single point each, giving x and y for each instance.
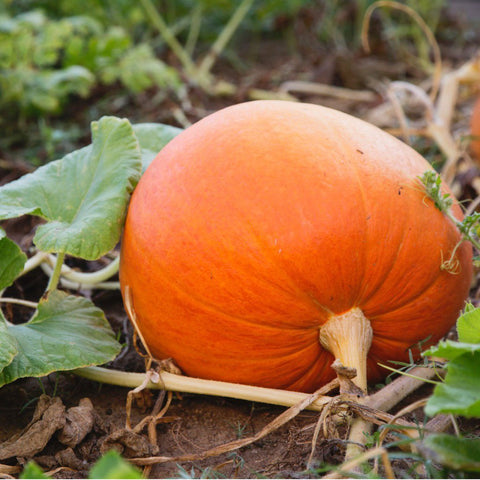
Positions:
(460, 393)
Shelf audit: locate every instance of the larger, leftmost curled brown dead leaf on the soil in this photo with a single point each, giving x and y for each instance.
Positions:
(49, 416)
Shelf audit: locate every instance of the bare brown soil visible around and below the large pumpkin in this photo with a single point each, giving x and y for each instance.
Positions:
(193, 424)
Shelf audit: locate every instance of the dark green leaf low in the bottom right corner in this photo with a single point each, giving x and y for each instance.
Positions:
(456, 453)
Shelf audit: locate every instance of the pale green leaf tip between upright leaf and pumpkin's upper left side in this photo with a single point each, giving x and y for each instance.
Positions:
(152, 138)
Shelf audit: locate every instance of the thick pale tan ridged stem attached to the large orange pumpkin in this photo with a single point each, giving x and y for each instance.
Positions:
(348, 337)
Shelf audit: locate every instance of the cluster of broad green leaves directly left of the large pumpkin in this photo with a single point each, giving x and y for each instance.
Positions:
(83, 198)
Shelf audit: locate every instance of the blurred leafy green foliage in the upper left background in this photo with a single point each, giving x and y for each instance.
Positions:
(43, 61)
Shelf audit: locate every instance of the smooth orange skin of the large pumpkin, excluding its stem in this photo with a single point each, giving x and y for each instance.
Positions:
(256, 224)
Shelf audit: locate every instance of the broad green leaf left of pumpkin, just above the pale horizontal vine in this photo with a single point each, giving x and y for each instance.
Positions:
(65, 333)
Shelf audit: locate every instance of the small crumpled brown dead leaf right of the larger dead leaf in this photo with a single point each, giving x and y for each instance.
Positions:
(79, 422)
